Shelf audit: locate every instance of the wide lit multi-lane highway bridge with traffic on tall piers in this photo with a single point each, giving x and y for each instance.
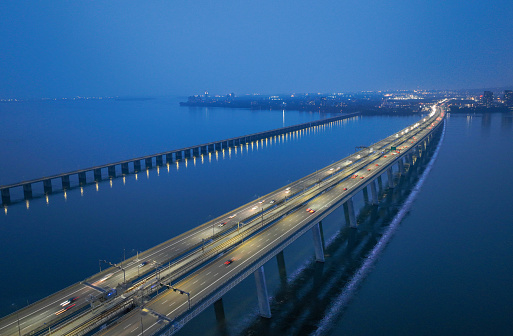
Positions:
(194, 270)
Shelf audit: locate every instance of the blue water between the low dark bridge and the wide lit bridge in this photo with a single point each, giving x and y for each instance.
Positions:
(89, 226)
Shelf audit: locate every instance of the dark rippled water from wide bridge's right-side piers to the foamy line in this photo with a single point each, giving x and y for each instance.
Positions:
(302, 300)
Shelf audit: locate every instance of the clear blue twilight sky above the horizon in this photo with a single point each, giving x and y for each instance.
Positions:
(70, 48)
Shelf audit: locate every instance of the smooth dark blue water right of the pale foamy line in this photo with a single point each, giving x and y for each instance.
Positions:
(448, 269)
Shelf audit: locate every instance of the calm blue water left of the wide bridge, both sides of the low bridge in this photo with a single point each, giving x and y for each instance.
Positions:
(47, 244)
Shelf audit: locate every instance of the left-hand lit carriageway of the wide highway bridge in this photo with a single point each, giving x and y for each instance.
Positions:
(174, 247)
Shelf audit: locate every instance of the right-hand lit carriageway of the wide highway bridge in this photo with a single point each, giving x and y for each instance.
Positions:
(212, 277)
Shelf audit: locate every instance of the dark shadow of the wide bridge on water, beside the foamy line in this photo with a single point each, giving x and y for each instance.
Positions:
(303, 300)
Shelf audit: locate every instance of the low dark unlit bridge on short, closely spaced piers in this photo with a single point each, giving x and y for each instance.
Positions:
(135, 165)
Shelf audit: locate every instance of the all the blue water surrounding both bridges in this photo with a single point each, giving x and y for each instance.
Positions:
(445, 271)
